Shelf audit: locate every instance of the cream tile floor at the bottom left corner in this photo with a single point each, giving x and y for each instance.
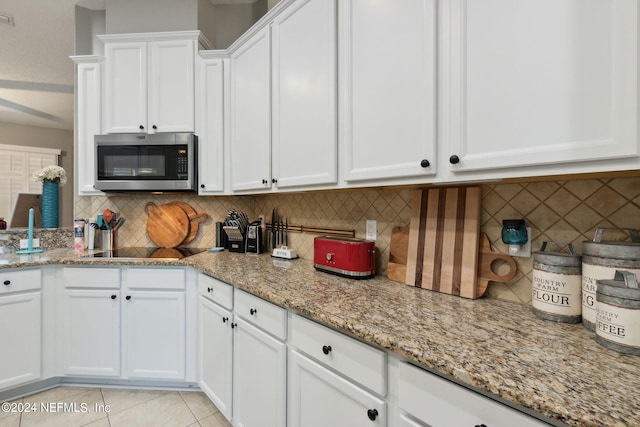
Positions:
(81, 406)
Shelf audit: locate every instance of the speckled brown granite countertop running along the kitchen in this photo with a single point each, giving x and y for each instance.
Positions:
(554, 369)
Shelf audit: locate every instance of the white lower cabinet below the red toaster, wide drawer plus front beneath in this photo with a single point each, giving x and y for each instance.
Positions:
(330, 376)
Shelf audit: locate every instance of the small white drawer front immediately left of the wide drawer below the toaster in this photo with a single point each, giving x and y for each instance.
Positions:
(261, 313)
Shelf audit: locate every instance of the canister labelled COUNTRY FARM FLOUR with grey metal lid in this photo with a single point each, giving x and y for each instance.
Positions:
(557, 285)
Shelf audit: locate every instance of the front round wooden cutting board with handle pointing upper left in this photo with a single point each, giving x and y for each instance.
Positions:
(167, 225)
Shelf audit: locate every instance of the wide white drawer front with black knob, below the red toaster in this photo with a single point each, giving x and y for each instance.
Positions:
(358, 361)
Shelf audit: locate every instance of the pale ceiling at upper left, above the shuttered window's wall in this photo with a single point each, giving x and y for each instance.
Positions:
(36, 74)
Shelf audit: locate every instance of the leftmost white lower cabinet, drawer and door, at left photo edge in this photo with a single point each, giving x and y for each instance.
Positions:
(20, 327)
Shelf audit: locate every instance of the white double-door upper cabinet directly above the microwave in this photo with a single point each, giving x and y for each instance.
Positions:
(149, 84)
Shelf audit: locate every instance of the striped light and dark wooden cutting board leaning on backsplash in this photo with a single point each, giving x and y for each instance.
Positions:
(443, 240)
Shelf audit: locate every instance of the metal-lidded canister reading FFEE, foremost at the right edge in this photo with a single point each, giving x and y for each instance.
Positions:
(618, 313)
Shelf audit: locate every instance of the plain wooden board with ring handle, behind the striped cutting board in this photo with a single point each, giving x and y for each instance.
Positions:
(399, 247)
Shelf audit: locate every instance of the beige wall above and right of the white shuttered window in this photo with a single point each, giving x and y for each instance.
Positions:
(13, 134)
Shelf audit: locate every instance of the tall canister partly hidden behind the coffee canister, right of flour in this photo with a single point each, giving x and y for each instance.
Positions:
(600, 260)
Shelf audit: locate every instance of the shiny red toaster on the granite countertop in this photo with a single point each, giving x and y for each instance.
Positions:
(345, 256)
